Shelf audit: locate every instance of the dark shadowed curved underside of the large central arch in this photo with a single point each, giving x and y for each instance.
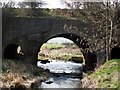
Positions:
(89, 55)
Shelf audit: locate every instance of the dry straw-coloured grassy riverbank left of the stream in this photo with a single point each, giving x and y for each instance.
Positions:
(16, 74)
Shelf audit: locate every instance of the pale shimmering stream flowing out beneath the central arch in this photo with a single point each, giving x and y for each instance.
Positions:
(62, 74)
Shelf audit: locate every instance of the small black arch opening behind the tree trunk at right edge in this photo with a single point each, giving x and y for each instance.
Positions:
(115, 53)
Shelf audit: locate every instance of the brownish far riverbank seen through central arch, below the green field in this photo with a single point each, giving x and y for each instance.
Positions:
(61, 54)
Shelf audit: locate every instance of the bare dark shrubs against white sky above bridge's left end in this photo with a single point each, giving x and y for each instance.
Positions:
(23, 9)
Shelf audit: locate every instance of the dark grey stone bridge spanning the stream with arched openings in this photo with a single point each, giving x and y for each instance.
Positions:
(31, 33)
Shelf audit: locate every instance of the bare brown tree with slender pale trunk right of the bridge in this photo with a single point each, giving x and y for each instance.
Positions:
(103, 15)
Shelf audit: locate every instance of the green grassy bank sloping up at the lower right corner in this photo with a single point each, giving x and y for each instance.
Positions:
(104, 77)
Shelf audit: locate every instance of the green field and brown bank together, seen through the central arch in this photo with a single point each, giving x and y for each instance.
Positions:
(60, 52)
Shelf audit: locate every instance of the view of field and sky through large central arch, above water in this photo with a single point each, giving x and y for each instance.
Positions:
(62, 47)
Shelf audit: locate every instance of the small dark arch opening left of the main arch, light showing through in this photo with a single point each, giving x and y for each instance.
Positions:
(14, 51)
